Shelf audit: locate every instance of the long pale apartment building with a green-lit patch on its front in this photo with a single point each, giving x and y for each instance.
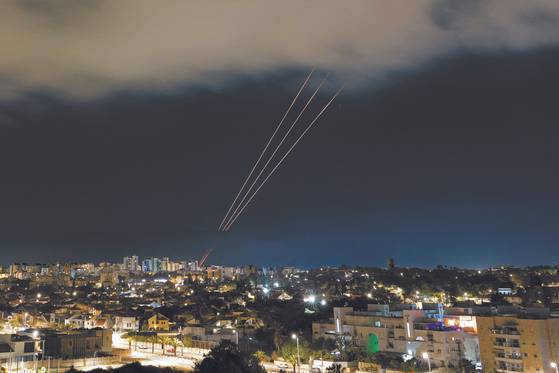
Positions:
(402, 329)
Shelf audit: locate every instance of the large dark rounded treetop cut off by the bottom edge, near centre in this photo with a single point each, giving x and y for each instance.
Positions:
(226, 357)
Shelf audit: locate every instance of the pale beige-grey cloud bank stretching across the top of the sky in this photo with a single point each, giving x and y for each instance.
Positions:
(90, 48)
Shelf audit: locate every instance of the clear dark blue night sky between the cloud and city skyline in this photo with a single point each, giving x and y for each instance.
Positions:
(450, 161)
